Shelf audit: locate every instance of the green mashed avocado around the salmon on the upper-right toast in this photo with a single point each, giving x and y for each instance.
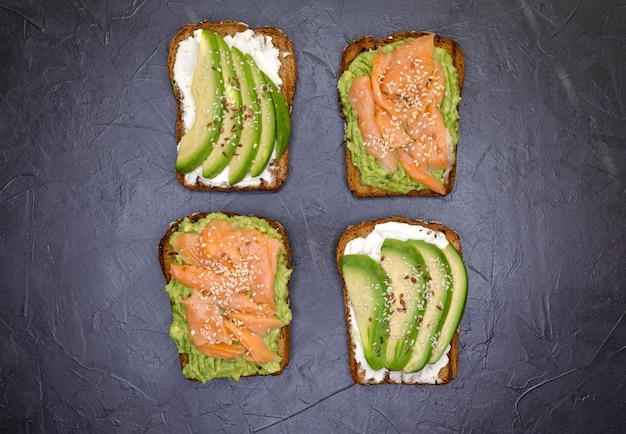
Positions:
(372, 173)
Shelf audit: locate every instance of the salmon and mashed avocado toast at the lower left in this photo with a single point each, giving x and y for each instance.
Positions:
(227, 279)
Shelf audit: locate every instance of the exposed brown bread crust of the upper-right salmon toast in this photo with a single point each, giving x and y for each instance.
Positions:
(369, 43)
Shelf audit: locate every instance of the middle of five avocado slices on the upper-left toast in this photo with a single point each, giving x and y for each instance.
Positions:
(251, 116)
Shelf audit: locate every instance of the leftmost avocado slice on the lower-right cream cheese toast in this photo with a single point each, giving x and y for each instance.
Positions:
(367, 285)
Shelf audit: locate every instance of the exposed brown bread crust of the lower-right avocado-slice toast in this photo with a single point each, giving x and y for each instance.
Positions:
(361, 230)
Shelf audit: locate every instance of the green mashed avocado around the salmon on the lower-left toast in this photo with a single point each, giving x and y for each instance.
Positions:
(204, 368)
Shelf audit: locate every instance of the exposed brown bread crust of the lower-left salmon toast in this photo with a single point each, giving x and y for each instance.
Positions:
(167, 255)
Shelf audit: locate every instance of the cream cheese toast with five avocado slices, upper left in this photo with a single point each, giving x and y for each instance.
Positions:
(234, 88)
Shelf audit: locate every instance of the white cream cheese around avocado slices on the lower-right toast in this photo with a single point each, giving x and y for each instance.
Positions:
(370, 246)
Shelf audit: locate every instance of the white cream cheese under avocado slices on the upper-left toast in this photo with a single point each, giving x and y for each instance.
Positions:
(266, 56)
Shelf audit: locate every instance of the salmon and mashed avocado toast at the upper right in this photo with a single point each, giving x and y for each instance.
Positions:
(399, 97)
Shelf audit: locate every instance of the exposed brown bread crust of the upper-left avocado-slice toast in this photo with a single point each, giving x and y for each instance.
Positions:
(287, 72)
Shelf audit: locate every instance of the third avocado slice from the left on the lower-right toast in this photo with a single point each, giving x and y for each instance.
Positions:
(437, 300)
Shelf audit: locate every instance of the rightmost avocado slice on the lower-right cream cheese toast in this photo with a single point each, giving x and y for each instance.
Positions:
(454, 312)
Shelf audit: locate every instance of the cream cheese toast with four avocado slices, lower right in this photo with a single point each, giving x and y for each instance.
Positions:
(405, 288)
